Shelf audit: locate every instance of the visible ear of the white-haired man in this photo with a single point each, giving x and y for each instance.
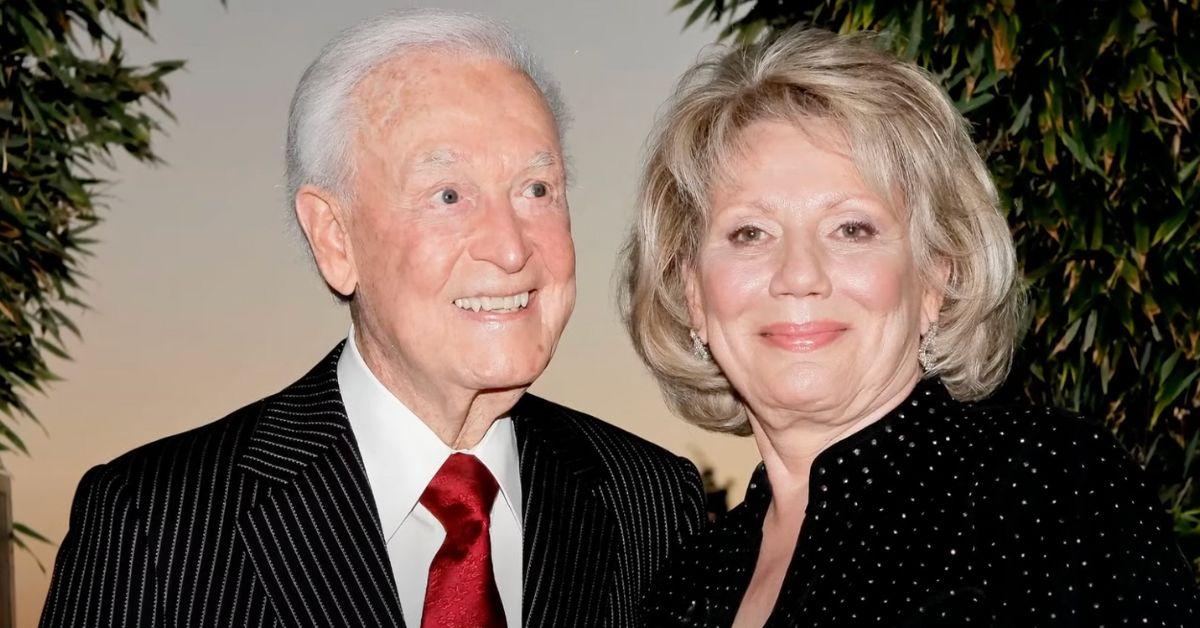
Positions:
(326, 225)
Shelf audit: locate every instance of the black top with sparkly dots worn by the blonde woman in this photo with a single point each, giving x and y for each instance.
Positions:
(949, 515)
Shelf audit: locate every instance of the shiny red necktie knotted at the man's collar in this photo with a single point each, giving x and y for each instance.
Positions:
(463, 589)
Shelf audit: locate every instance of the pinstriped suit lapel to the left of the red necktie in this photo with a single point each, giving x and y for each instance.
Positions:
(313, 531)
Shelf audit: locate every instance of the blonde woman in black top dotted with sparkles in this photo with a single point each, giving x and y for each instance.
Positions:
(820, 264)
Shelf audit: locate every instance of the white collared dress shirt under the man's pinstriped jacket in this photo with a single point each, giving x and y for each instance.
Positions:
(401, 456)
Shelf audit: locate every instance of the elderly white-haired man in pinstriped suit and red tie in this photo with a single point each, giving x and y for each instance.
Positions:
(409, 479)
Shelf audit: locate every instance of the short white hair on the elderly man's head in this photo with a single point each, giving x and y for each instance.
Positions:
(323, 121)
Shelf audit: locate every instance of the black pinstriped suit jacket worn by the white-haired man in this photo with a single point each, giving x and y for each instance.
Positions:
(266, 518)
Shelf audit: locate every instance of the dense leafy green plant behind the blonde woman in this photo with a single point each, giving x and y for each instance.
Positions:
(1088, 117)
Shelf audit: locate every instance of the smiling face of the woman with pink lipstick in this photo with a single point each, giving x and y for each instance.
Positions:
(805, 288)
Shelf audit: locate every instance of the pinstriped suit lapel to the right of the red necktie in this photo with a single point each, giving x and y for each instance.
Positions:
(569, 531)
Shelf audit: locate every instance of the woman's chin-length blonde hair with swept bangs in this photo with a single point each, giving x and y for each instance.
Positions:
(909, 143)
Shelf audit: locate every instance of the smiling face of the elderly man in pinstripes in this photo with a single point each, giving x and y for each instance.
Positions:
(459, 228)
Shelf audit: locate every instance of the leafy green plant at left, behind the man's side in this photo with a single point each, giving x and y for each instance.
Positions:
(68, 101)
